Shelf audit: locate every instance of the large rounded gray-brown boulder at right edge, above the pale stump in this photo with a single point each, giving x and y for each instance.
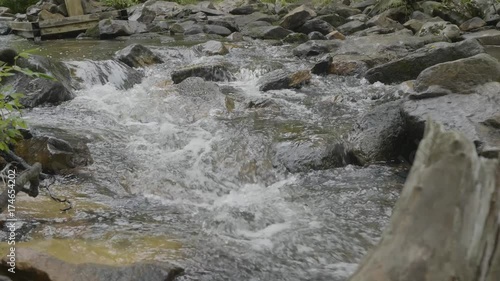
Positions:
(460, 76)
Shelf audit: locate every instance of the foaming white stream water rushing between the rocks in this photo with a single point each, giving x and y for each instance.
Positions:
(202, 189)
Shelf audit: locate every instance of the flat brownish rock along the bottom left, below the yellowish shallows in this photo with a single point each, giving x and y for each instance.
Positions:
(33, 265)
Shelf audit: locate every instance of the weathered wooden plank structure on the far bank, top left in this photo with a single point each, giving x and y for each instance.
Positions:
(76, 22)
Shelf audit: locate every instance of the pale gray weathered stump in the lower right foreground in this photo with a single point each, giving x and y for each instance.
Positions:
(446, 217)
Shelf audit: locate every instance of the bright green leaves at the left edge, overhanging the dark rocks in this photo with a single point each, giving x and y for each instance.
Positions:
(10, 106)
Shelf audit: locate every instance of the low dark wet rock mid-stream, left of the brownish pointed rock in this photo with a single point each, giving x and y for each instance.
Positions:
(209, 72)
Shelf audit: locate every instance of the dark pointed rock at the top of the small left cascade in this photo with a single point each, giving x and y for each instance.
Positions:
(137, 55)
